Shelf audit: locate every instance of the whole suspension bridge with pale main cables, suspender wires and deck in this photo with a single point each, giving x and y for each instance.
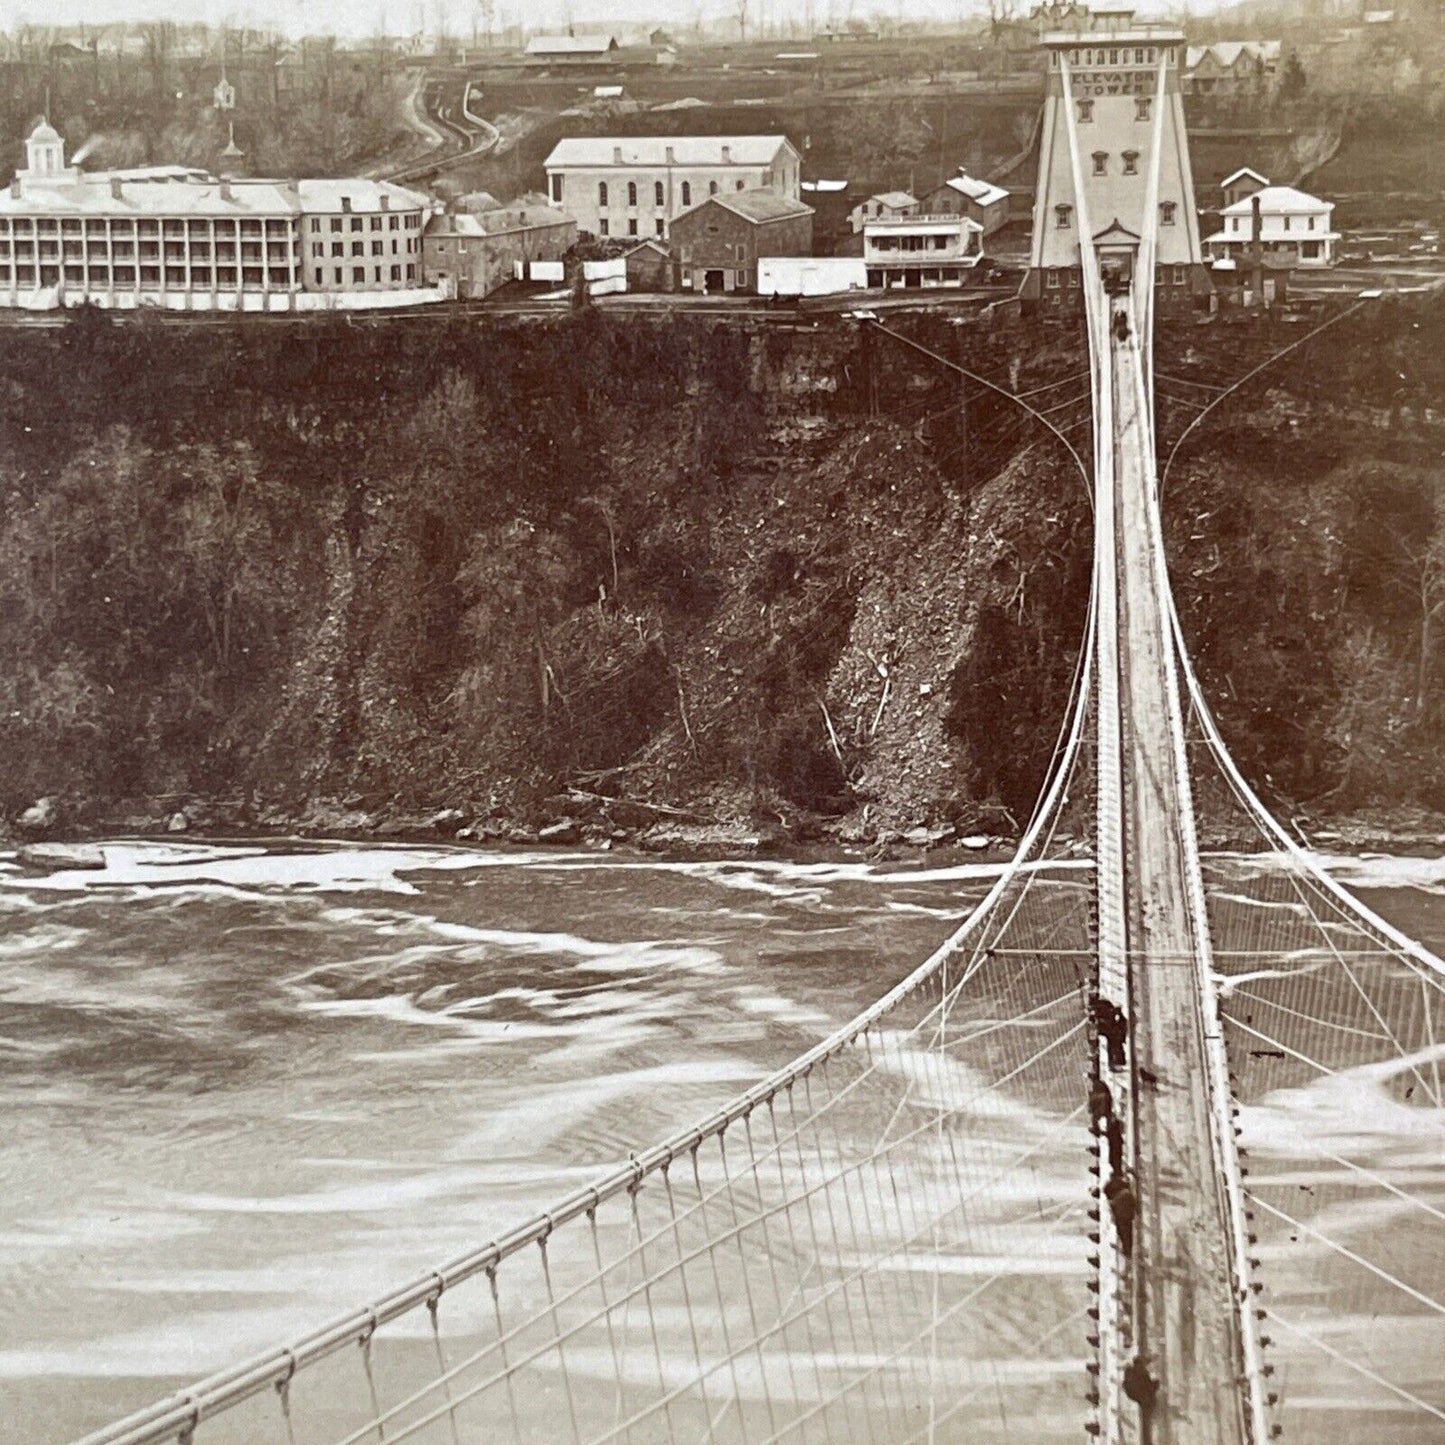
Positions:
(1112, 1164)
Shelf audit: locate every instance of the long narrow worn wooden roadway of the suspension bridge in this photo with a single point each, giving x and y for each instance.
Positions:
(1186, 1313)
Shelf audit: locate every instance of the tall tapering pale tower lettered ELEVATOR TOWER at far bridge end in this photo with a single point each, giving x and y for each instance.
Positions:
(1112, 64)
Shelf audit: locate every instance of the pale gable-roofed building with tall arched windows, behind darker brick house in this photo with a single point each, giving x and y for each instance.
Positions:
(639, 186)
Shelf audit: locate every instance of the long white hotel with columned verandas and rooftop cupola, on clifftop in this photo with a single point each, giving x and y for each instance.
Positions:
(183, 238)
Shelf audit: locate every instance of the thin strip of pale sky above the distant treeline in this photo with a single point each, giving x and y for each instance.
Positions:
(359, 18)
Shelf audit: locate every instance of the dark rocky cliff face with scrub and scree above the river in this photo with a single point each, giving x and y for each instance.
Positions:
(735, 573)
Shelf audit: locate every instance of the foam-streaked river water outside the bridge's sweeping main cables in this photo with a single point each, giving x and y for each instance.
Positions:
(246, 1087)
